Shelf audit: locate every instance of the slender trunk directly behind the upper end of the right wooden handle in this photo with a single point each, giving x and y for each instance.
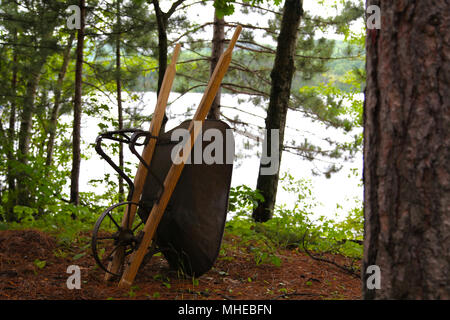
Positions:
(217, 49)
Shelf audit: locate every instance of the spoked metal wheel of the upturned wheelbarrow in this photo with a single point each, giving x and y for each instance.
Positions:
(109, 236)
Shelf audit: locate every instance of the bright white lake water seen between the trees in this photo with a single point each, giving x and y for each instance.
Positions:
(342, 188)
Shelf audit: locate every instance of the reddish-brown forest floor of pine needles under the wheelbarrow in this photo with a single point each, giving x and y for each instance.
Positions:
(34, 266)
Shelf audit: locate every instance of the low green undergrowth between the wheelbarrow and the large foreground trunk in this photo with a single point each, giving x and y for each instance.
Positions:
(292, 227)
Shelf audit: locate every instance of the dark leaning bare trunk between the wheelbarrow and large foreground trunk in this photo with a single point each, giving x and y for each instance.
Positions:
(281, 75)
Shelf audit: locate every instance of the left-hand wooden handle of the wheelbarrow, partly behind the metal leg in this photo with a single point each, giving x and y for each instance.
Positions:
(141, 175)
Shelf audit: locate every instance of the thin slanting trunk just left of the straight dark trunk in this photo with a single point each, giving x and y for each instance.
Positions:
(55, 110)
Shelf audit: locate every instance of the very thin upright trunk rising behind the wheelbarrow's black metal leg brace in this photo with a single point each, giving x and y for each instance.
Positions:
(119, 98)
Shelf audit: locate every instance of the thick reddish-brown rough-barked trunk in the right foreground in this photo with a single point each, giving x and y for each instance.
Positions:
(406, 151)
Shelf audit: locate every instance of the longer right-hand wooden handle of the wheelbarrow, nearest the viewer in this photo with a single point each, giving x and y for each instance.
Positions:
(175, 171)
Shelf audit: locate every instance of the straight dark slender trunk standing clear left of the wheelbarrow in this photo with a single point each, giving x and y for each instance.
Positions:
(76, 152)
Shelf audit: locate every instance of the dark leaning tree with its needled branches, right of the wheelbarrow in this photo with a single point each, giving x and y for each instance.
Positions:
(311, 57)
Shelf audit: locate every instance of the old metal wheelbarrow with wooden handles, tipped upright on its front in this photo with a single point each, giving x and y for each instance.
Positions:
(177, 203)
